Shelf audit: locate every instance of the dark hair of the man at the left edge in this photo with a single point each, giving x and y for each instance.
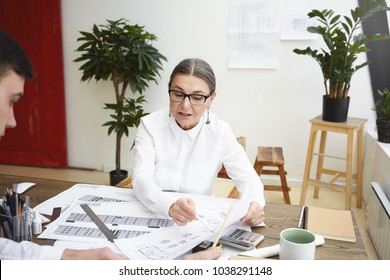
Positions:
(13, 57)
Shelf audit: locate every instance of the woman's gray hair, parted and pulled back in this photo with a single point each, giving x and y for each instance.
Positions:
(198, 68)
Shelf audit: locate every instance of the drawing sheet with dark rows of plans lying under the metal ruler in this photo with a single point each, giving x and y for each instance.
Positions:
(125, 219)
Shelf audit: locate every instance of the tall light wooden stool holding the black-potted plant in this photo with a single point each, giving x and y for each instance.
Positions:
(350, 127)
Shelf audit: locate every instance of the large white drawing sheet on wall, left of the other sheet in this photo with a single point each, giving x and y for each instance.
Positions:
(253, 34)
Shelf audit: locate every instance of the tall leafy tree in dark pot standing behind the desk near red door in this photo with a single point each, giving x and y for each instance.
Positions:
(123, 54)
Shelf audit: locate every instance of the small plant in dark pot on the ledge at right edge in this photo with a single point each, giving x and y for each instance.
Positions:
(382, 108)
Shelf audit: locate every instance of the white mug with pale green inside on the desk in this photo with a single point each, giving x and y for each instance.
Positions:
(297, 244)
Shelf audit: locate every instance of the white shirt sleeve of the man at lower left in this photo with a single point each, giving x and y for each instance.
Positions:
(25, 250)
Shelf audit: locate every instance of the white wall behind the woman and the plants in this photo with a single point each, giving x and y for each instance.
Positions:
(269, 107)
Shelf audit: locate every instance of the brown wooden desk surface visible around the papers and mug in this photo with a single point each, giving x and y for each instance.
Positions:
(278, 217)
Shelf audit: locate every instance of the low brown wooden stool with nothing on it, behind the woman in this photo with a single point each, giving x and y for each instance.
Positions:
(272, 157)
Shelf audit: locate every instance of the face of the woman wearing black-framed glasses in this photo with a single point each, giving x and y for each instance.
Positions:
(185, 113)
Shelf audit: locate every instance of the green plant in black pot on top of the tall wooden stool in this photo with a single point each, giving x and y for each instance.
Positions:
(344, 41)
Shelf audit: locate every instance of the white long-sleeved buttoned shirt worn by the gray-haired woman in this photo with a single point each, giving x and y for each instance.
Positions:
(168, 158)
